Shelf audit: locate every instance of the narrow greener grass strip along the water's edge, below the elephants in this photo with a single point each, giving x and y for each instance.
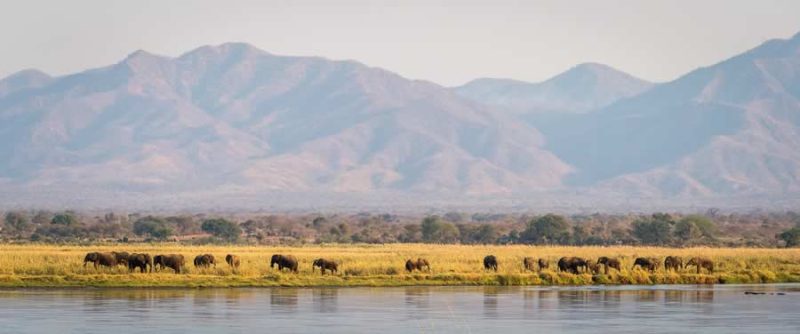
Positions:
(530, 280)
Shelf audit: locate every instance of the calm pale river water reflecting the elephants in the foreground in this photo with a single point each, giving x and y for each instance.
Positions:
(618, 309)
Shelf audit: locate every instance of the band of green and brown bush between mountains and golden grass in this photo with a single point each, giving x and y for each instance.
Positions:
(660, 229)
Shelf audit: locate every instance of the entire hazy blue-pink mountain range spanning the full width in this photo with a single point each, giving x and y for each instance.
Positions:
(234, 119)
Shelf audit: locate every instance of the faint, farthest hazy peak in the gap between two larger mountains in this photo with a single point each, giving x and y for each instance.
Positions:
(582, 88)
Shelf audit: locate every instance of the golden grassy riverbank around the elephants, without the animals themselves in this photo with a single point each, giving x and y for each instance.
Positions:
(382, 265)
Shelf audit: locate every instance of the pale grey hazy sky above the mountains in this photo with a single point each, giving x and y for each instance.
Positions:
(448, 42)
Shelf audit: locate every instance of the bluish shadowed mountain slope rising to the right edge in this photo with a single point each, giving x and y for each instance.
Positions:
(730, 128)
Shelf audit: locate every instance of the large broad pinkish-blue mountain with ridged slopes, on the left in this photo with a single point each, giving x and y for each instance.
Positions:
(233, 115)
